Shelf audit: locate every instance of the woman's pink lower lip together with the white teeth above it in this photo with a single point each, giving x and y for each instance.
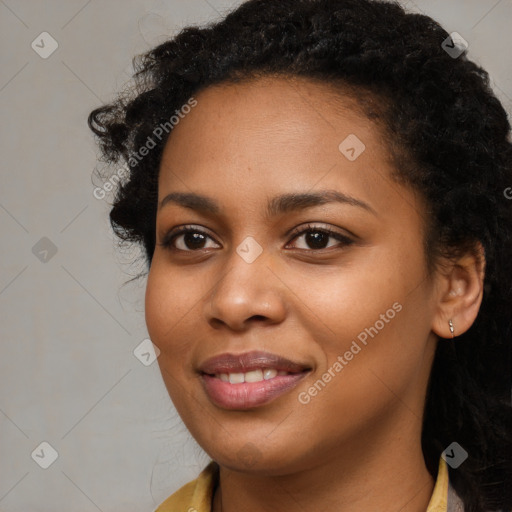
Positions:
(249, 394)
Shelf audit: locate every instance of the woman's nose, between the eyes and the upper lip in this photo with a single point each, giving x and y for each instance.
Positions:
(245, 294)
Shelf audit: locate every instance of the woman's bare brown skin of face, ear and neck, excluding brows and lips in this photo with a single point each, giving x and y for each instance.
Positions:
(241, 145)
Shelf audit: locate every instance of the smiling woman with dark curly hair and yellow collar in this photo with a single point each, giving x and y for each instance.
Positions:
(320, 190)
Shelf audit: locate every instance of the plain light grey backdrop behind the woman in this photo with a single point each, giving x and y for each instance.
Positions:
(68, 326)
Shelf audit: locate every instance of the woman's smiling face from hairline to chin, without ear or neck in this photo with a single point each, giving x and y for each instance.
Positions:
(352, 309)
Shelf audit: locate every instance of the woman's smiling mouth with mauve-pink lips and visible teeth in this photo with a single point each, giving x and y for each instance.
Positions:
(248, 380)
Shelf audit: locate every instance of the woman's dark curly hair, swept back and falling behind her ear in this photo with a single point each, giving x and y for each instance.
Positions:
(449, 141)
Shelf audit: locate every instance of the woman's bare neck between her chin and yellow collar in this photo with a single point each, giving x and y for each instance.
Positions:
(390, 475)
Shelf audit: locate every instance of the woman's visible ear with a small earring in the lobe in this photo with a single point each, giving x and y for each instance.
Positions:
(460, 286)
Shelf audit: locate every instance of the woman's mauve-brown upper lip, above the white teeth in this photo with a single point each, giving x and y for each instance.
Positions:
(247, 361)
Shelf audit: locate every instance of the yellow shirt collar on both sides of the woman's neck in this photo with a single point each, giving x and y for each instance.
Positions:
(196, 496)
